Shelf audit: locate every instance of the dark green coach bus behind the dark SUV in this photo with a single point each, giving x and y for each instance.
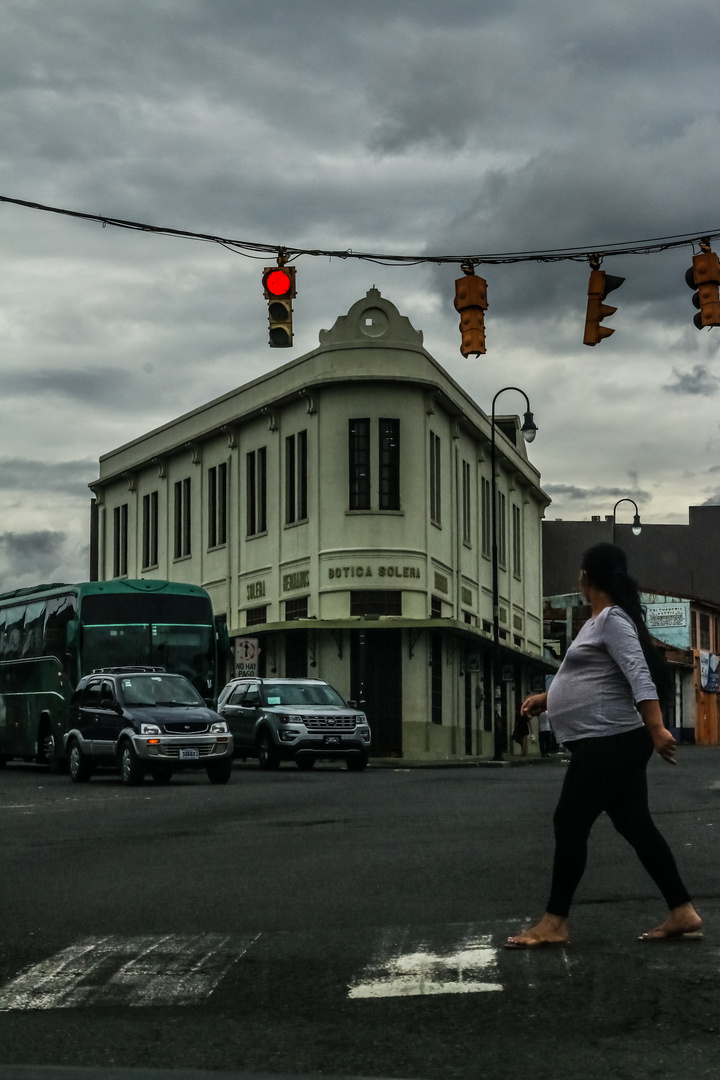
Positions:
(52, 636)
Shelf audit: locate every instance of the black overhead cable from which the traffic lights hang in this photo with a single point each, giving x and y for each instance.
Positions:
(252, 249)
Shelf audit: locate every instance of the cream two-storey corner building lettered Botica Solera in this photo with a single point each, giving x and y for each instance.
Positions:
(338, 514)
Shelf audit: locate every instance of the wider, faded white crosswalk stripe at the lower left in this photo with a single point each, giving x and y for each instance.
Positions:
(148, 970)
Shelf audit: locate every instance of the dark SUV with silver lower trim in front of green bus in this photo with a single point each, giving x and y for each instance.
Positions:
(144, 720)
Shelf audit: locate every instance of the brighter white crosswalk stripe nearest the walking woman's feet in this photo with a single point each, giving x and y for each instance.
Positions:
(471, 969)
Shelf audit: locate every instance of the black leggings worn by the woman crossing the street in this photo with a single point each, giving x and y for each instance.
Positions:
(609, 774)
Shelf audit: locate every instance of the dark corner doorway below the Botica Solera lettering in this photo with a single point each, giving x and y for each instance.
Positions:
(376, 684)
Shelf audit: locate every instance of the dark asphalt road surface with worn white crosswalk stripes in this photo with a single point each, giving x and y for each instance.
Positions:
(344, 924)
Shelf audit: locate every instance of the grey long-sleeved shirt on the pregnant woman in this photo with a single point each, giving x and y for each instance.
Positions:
(603, 676)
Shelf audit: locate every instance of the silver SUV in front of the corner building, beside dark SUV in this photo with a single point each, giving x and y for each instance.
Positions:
(298, 720)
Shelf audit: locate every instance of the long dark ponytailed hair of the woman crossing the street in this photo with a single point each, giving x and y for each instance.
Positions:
(606, 568)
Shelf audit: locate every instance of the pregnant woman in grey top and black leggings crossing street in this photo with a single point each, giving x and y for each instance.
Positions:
(604, 705)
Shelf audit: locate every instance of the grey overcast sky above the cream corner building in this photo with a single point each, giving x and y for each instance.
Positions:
(461, 127)
